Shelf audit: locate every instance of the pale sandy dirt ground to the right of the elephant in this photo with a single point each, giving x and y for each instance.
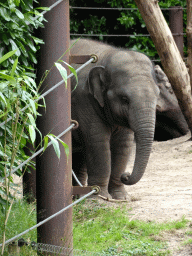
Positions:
(165, 191)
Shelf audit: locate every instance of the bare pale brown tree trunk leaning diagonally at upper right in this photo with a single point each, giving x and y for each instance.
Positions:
(171, 60)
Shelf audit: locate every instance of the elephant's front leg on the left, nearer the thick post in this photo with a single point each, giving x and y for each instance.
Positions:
(98, 157)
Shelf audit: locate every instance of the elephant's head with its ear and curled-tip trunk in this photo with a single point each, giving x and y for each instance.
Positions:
(126, 92)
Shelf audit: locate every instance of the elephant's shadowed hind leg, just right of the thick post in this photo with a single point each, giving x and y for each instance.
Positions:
(79, 168)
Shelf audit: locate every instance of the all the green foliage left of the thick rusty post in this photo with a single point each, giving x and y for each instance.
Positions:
(18, 48)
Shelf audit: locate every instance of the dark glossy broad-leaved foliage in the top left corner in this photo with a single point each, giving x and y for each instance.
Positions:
(18, 19)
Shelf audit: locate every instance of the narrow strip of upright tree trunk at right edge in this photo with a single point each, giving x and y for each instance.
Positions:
(189, 37)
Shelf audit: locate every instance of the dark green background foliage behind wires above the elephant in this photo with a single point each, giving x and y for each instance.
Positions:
(122, 22)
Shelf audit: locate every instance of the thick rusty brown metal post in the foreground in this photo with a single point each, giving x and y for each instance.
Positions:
(54, 182)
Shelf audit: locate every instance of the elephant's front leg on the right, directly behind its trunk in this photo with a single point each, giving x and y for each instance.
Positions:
(121, 145)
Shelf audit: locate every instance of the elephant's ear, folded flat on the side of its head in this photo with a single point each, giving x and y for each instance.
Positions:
(96, 83)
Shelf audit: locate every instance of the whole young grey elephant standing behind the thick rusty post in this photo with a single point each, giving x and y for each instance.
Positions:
(114, 101)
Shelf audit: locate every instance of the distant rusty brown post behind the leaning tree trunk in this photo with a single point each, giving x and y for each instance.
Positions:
(176, 26)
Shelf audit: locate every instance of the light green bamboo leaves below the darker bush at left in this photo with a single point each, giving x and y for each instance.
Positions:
(16, 92)
